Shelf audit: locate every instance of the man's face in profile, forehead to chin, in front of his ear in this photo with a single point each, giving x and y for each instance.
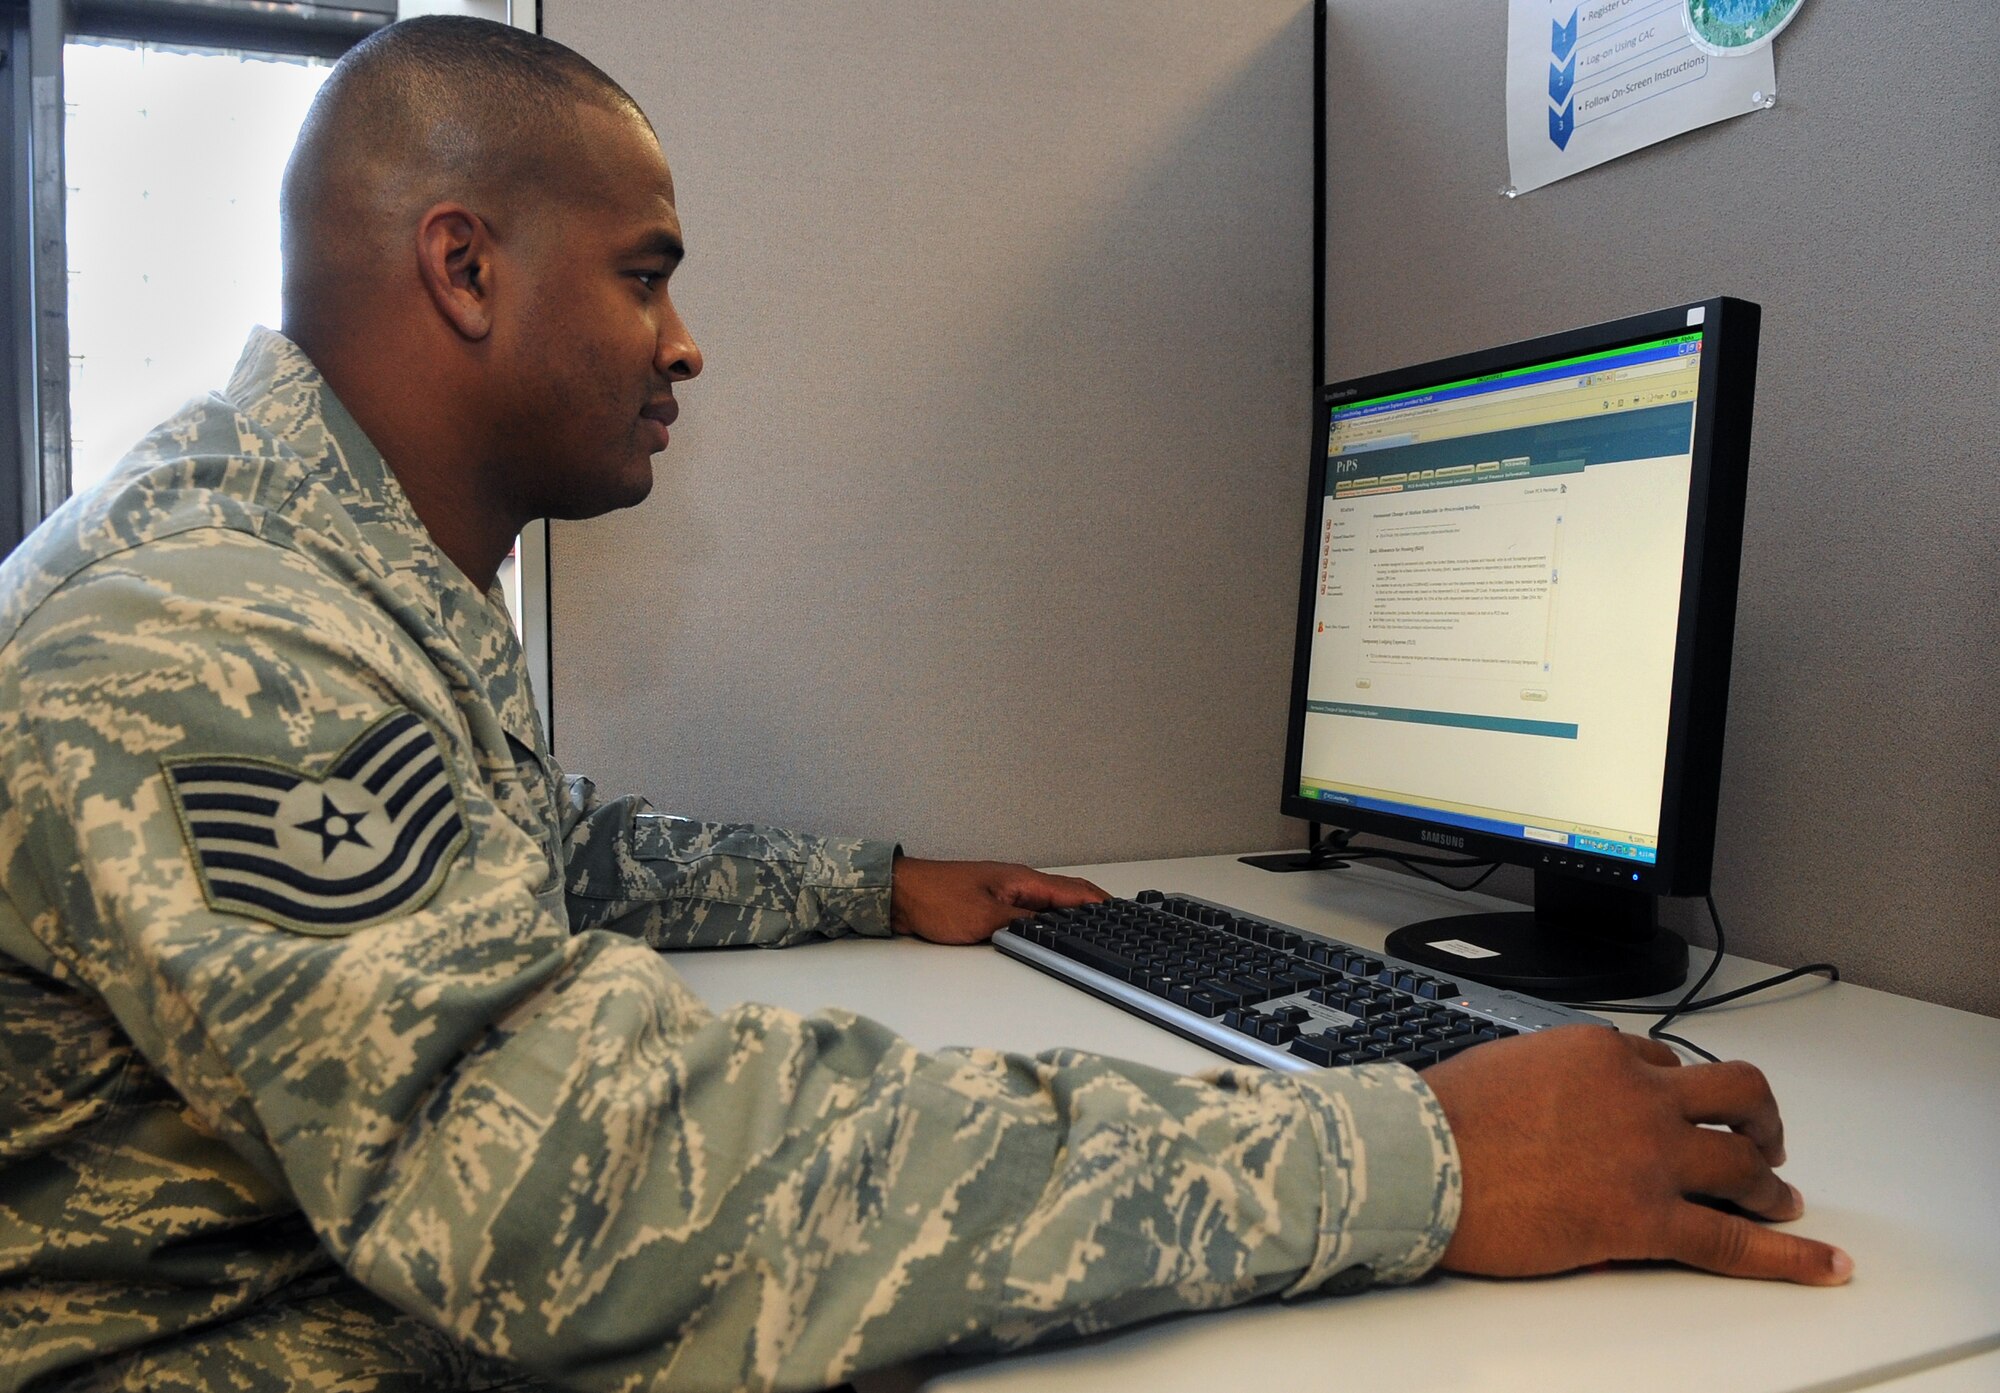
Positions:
(595, 345)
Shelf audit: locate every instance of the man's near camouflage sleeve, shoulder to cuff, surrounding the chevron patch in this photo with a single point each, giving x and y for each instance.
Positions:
(545, 1146)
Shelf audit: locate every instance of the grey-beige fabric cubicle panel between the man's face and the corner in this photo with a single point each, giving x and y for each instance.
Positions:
(981, 525)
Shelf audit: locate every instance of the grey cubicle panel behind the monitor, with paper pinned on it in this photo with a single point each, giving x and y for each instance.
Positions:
(1861, 800)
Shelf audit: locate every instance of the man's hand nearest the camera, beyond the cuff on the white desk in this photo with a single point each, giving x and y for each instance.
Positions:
(1583, 1146)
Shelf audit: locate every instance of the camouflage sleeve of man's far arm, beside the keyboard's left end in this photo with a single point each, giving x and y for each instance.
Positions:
(681, 884)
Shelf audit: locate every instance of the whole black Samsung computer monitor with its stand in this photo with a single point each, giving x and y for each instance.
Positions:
(1515, 621)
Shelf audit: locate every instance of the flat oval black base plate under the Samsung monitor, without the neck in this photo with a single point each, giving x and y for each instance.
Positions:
(1519, 952)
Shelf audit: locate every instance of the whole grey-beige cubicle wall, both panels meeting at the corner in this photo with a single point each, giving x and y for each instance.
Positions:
(981, 529)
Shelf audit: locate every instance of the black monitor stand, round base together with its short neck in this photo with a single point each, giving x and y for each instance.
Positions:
(1579, 944)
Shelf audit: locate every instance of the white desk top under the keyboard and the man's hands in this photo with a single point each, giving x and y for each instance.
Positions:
(1893, 1124)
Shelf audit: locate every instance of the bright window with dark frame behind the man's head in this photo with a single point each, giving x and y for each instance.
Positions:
(145, 145)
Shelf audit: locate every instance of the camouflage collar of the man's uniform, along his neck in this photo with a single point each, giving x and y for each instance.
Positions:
(279, 389)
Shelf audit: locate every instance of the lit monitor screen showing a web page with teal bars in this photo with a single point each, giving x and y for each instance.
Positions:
(1499, 599)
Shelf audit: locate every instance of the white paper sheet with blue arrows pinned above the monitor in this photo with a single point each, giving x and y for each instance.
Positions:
(1589, 81)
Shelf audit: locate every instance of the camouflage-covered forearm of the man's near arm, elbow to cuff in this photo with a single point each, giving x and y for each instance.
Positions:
(763, 1200)
